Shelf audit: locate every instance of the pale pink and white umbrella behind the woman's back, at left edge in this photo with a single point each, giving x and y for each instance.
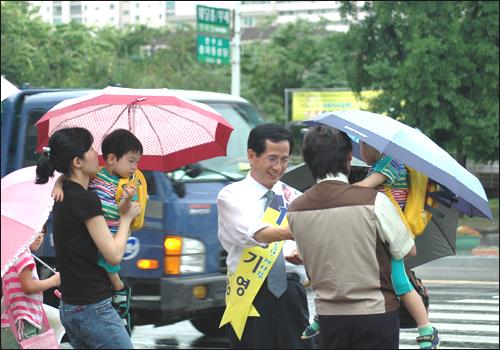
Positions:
(25, 208)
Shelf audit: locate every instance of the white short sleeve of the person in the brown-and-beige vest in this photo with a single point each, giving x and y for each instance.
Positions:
(391, 228)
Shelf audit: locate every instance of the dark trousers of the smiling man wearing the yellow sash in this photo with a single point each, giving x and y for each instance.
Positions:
(281, 323)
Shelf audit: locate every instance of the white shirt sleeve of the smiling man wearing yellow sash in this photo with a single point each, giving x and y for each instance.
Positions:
(235, 227)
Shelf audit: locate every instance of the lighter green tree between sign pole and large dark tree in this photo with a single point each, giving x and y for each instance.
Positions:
(298, 54)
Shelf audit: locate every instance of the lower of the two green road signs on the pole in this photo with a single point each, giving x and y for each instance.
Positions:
(212, 50)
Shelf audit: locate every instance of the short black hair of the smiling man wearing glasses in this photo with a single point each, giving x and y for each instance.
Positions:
(273, 132)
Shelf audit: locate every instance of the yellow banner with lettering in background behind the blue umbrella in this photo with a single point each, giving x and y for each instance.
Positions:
(309, 104)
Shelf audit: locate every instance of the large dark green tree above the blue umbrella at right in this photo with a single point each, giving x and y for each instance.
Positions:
(436, 64)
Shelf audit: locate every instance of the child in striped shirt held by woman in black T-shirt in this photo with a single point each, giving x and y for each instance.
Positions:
(122, 152)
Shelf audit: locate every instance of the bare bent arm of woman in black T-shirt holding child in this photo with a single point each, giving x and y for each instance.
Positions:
(112, 247)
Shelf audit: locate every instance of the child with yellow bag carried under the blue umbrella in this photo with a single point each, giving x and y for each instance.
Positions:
(388, 174)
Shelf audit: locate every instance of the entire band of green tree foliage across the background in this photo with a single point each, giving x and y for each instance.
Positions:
(436, 63)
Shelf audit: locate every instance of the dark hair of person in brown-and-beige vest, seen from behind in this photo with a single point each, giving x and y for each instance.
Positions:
(325, 151)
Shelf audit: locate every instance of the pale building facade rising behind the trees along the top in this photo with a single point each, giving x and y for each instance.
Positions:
(176, 13)
